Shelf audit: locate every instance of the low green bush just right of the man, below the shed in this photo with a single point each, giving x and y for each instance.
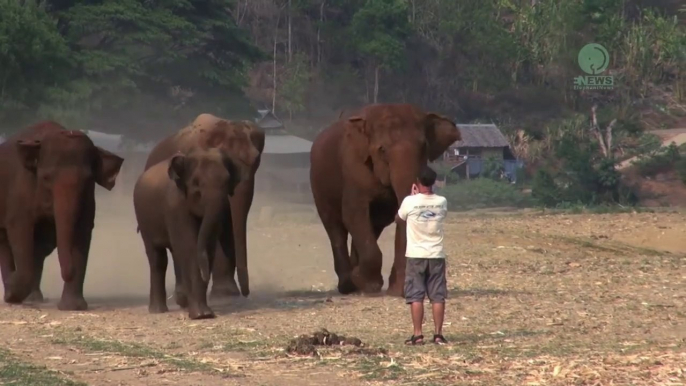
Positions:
(484, 193)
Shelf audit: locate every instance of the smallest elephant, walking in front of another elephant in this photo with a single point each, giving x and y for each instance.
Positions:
(181, 204)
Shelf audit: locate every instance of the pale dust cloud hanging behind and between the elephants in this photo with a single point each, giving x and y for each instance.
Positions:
(288, 249)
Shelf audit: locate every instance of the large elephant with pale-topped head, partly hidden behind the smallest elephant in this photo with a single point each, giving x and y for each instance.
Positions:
(243, 142)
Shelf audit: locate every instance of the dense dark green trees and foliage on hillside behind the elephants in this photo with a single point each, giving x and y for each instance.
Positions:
(144, 67)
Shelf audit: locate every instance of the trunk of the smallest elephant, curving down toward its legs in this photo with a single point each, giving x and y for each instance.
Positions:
(207, 236)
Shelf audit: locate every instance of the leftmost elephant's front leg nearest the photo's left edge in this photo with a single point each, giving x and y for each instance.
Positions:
(20, 236)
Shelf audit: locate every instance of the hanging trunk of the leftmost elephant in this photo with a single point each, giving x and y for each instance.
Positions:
(66, 196)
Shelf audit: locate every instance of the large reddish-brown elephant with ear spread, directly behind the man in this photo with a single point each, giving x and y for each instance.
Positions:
(361, 169)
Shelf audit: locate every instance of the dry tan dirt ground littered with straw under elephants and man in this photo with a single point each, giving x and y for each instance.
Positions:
(534, 299)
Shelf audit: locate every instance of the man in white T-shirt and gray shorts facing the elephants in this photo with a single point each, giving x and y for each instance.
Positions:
(424, 212)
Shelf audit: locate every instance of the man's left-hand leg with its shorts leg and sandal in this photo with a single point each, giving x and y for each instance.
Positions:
(415, 291)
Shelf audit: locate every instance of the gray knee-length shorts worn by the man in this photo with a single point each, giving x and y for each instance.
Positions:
(425, 277)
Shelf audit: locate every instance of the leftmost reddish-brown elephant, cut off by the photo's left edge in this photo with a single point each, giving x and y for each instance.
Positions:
(47, 201)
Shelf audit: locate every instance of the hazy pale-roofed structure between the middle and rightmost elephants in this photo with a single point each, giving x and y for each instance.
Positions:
(285, 164)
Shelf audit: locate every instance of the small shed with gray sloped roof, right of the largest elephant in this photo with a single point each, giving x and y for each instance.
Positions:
(479, 143)
